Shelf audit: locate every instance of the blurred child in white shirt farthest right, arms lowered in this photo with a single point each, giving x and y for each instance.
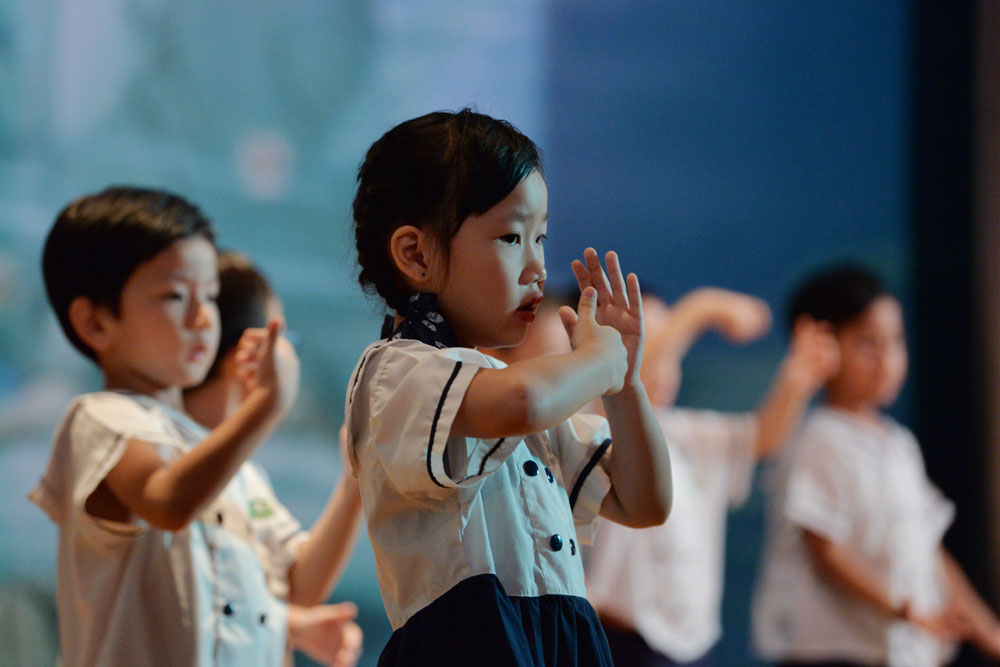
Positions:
(855, 572)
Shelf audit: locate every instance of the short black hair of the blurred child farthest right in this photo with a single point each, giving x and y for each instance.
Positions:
(837, 295)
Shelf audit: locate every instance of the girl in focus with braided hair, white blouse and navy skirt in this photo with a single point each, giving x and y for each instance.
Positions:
(477, 479)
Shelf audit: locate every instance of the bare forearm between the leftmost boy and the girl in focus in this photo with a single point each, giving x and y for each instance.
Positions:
(323, 557)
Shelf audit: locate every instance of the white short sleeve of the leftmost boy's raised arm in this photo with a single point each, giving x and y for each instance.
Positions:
(89, 442)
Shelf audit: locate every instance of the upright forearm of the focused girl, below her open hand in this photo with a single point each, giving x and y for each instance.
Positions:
(641, 484)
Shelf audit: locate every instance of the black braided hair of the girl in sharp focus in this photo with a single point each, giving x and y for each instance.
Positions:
(432, 172)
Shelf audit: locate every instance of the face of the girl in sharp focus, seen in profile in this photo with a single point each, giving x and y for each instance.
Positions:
(492, 285)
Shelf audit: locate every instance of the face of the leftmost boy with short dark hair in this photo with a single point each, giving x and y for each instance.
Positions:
(167, 329)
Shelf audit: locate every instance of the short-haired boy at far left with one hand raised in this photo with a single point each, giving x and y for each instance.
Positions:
(162, 531)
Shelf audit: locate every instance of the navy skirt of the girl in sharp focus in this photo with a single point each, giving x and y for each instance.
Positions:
(477, 623)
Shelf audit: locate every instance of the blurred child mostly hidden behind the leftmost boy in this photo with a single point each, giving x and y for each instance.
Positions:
(324, 631)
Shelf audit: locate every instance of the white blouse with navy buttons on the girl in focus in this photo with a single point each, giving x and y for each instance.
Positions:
(442, 509)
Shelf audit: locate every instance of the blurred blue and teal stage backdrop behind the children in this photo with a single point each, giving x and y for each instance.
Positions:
(729, 144)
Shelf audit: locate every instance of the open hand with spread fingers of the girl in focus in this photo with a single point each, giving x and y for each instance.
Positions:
(619, 304)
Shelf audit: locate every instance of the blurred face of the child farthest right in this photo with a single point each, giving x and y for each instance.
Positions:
(873, 358)
